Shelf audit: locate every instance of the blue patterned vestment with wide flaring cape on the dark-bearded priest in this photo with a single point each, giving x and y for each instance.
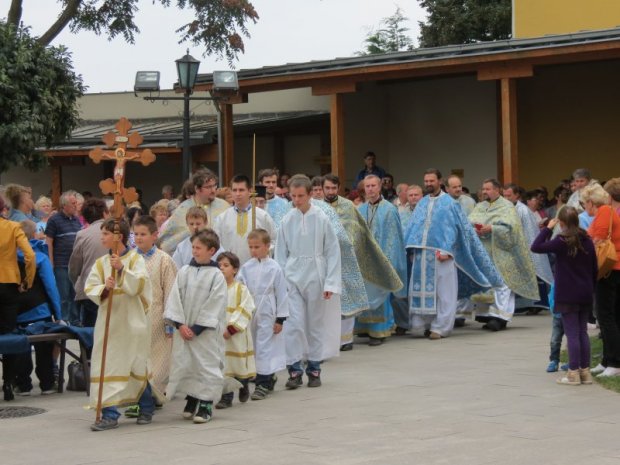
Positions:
(438, 224)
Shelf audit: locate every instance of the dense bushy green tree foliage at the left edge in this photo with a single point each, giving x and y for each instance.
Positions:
(38, 95)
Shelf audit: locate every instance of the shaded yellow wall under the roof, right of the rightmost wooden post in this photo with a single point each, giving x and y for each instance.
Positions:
(568, 118)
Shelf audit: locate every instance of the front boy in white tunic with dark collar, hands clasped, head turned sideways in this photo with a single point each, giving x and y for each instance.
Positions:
(197, 308)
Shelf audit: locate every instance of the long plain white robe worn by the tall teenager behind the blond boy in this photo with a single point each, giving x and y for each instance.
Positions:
(307, 250)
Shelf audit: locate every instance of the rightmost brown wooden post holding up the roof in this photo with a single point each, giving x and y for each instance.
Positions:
(510, 163)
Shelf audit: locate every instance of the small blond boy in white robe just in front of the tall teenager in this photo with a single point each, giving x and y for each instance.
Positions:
(265, 280)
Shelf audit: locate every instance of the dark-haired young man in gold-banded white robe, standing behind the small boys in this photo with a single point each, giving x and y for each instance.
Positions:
(234, 225)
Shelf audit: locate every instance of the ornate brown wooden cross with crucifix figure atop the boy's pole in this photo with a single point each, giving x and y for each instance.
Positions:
(121, 155)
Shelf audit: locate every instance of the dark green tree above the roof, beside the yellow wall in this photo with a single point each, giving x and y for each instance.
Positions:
(465, 21)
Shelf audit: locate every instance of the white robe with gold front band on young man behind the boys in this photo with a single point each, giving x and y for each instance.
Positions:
(233, 227)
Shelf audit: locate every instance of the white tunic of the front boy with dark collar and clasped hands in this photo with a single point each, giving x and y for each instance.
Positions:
(199, 297)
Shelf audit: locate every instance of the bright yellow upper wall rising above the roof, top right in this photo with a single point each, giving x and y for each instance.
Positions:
(536, 18)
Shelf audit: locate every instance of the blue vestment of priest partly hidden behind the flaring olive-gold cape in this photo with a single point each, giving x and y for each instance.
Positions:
(384, 222)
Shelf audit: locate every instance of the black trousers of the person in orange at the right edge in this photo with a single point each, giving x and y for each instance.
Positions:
(608, 316)
